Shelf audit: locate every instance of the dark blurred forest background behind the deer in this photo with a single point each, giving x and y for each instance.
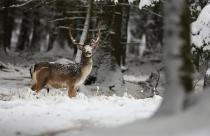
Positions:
(131, 38)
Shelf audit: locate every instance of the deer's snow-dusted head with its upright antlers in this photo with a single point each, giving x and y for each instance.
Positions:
(87, 48)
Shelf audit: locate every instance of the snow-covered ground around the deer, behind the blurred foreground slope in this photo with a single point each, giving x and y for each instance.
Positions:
(22, 112)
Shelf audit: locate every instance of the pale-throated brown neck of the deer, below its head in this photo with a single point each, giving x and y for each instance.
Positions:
(86, 66)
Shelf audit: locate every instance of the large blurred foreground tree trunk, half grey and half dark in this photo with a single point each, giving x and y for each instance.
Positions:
(176, 56)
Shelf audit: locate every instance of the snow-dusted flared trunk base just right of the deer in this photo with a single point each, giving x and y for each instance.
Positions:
(107, 72)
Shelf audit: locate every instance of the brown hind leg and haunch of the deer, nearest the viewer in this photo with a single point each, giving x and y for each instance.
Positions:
(41, 79)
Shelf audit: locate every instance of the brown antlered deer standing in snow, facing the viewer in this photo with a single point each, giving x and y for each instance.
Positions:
(70, 76)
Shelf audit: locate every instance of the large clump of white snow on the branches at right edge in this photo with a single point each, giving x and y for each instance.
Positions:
(201, 29)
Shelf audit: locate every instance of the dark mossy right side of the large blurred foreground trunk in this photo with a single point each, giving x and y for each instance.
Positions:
(187, 66)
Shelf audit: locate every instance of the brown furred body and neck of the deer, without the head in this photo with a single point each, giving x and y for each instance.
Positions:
(49, 75)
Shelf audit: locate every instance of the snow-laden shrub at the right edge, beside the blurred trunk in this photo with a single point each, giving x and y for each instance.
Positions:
(201, 38)
